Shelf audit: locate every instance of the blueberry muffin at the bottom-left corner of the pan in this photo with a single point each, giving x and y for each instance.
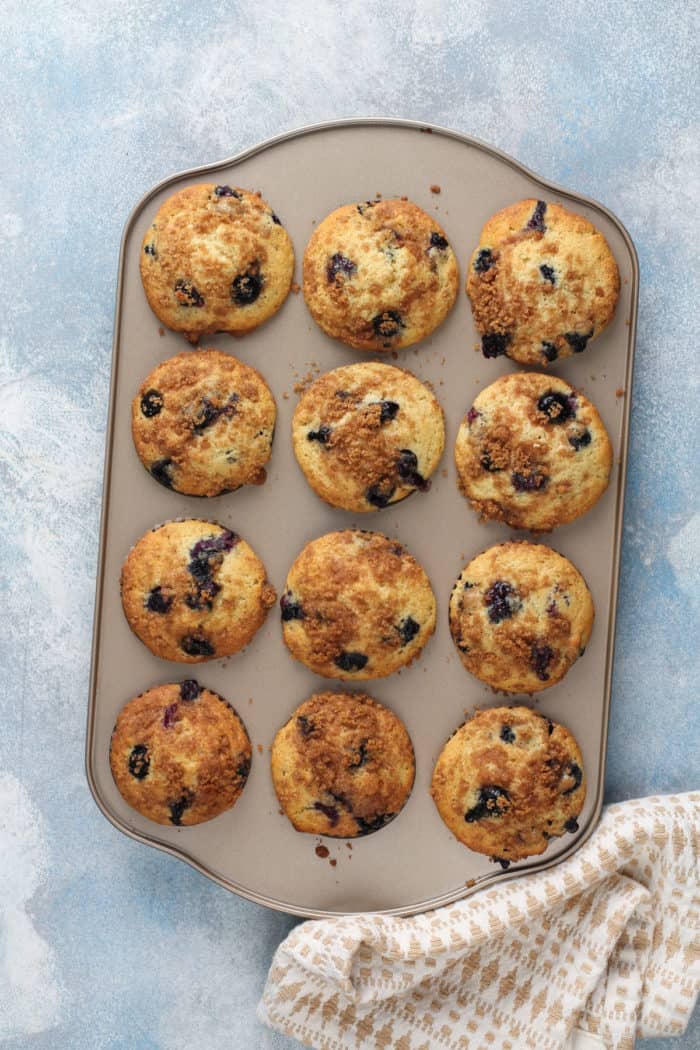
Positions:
(180, 754)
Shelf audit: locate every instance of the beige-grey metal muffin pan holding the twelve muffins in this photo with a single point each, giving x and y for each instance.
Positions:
(414, 864)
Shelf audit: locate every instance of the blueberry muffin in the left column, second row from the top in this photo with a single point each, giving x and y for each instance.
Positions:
(203, 424)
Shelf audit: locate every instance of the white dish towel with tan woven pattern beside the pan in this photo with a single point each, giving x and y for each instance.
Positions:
(595, 953)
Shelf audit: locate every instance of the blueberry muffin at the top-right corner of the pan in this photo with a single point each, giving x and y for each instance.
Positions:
(543, 283)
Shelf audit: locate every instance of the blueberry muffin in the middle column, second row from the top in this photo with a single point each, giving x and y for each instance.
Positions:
(368, 435)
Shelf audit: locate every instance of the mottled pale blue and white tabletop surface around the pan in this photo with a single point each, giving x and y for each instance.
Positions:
(105, 943)
